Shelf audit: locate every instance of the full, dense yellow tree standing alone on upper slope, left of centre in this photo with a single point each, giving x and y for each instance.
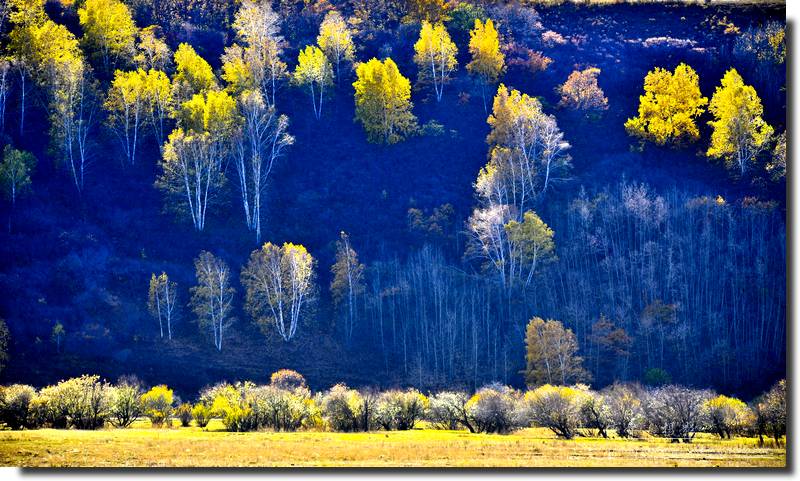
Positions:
(383, 101)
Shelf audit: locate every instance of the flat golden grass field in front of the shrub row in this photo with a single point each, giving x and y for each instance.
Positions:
(142, 446)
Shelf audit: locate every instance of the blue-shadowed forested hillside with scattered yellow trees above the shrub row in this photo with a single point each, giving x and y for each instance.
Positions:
(403, 242)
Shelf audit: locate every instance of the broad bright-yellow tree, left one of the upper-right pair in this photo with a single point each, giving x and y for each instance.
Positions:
(671, 103)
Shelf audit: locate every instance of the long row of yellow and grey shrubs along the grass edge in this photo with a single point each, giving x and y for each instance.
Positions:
(287, 404)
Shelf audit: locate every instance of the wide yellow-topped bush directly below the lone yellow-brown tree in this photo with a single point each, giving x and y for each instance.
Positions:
(557, 408)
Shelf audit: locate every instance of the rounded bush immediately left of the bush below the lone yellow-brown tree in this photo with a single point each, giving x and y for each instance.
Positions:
(492, 409)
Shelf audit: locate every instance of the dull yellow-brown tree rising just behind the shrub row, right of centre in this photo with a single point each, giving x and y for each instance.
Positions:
(552, 354)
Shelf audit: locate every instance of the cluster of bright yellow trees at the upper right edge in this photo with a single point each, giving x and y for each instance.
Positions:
(672, 103)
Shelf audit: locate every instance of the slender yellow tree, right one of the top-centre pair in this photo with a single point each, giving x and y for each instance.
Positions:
(488, 62)
